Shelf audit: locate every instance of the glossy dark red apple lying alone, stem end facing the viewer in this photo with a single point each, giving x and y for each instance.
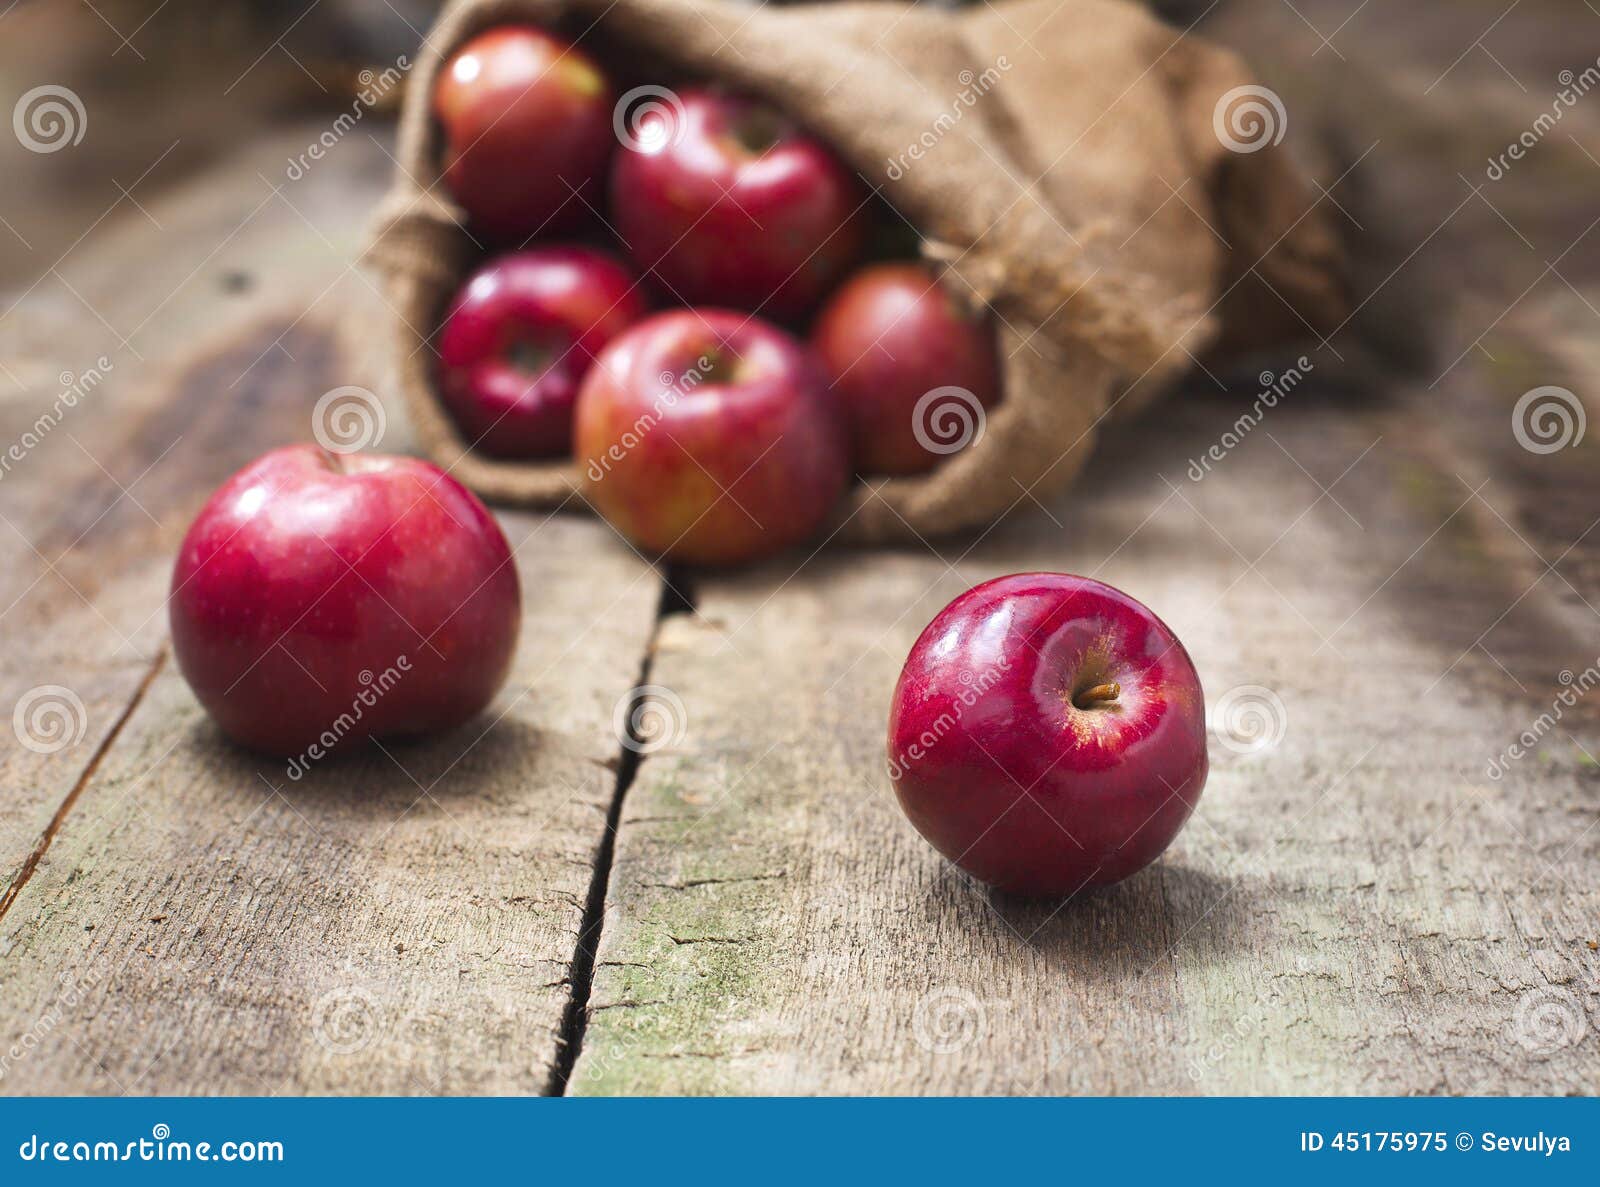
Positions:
(1049, 733)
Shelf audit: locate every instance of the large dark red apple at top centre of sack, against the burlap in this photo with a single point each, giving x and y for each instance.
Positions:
(727, 201)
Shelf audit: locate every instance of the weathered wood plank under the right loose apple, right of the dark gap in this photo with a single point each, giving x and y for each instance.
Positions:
(1358, 909)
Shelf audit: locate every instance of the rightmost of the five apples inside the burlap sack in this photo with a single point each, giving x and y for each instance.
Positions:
(889, 338)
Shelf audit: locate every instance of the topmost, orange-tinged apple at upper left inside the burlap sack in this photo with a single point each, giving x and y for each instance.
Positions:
(527, 121)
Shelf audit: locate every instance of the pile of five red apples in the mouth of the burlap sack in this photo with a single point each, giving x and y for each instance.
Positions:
(724, 430)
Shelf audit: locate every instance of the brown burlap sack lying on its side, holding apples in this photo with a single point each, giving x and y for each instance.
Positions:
(1066, 161)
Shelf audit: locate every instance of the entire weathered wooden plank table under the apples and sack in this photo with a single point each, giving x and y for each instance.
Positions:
(526, 906)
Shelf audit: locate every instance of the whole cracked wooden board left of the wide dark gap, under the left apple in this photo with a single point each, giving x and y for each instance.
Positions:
(390, 924)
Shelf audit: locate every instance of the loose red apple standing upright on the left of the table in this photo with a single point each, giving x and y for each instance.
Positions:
(326, 597)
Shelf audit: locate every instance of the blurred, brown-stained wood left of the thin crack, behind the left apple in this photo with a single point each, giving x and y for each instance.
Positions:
(129, 402)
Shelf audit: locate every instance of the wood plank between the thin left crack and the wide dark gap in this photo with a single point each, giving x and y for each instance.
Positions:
(394, 922)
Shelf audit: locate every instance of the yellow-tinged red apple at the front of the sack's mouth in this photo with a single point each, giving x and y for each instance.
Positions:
(708, 436)
